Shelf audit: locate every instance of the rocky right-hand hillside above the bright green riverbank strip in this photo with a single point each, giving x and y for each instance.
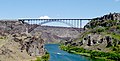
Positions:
(103, 31)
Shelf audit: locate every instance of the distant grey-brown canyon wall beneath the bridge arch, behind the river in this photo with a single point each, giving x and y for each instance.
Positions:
(56, 34)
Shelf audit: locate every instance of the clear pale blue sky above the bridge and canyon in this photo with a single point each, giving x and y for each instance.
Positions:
(14, 9)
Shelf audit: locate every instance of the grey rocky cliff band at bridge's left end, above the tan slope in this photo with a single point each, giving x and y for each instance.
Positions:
(11, 26)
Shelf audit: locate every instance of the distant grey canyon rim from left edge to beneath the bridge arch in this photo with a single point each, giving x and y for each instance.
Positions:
(50, 34)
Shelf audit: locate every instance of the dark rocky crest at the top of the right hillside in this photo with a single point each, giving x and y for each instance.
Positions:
(104, 21)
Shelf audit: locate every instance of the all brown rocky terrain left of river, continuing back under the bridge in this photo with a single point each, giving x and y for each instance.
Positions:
(16, 44)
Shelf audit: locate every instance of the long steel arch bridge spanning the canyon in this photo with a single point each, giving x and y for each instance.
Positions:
(74, 23)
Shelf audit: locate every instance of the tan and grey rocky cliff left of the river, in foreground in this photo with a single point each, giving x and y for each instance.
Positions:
(17, 45)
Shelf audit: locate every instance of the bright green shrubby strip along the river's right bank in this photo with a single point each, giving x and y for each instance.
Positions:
(103, 56)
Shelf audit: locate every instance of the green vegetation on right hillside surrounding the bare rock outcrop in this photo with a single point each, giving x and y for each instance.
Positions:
(105, 28)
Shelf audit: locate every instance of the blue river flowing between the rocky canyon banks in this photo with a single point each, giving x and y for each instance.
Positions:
(59, 55)
